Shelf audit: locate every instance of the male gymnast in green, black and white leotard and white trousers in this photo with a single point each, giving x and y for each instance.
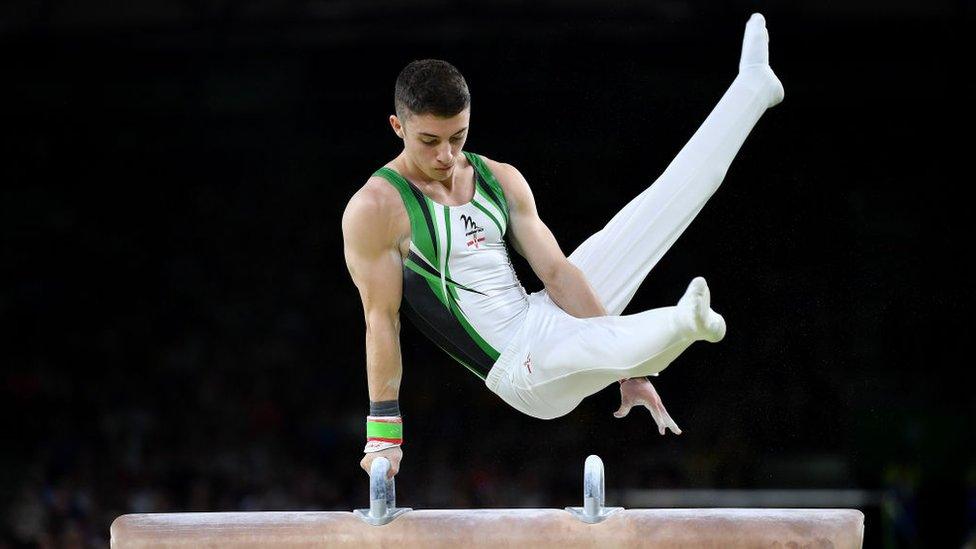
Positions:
(426, 234)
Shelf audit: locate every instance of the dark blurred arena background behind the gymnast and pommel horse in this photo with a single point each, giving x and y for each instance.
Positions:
(179, 331)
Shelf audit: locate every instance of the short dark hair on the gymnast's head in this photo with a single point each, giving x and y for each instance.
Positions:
(431, 86)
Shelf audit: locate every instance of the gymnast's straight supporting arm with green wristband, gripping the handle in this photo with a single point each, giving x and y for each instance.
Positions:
(374, 262)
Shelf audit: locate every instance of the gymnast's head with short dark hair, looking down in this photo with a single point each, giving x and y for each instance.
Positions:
(433, 108)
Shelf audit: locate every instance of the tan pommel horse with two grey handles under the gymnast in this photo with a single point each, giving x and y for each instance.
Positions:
(592, 525)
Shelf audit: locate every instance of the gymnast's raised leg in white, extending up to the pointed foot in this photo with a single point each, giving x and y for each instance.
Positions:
(616, 259)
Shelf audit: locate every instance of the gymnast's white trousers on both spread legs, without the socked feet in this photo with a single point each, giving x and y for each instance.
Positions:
(556, 360)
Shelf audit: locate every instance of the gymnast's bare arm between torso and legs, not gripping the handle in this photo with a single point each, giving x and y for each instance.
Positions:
(566, 284)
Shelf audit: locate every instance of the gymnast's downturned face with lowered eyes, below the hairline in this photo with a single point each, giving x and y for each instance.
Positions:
(433, 144)
